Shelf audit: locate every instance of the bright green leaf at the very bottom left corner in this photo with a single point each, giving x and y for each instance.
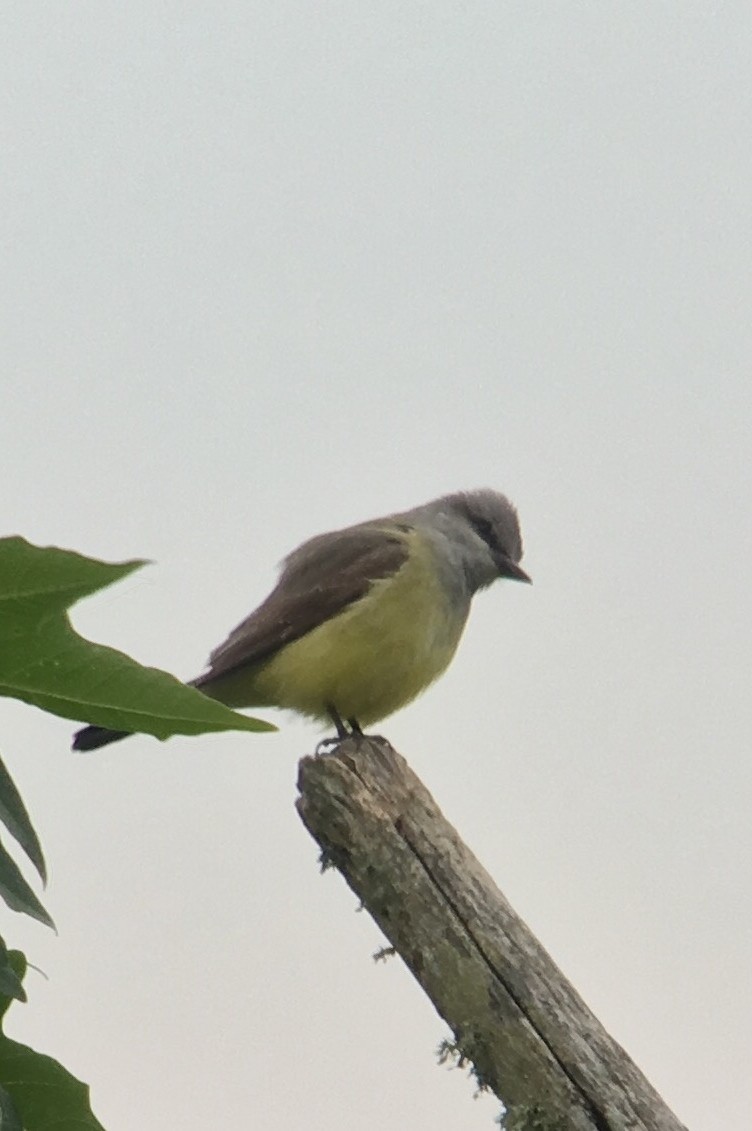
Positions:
(44, 1093)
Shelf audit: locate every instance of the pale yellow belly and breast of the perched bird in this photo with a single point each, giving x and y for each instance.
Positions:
(373, 659)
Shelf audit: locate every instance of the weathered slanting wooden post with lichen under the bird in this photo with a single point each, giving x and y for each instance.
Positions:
(530, 1037)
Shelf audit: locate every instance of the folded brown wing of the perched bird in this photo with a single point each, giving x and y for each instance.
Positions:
(321, 579)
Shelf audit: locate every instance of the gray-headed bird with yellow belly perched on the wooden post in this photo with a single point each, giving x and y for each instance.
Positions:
(364, 620)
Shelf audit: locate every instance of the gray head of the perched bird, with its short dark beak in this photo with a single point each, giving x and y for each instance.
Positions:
(488, 534)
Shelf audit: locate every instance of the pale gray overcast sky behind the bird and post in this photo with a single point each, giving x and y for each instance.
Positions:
(272, 269)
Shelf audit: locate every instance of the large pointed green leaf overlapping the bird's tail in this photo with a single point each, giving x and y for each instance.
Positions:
(45, 662)
